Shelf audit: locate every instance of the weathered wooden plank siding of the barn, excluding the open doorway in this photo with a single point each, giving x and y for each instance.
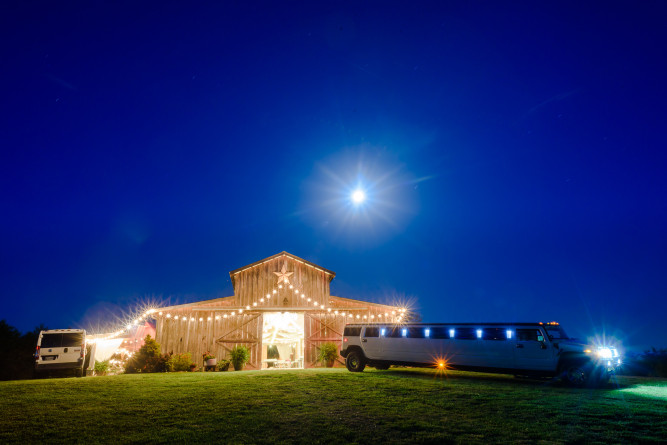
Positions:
(210, 325)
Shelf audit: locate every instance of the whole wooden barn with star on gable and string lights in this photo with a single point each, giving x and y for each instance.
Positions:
(281, 310)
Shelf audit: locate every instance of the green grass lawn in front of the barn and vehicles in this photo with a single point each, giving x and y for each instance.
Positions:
(329, 406)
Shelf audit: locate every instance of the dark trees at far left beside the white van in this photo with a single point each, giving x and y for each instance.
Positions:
(17, 360)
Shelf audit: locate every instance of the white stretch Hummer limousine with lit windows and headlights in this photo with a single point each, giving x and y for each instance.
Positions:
(526, 349)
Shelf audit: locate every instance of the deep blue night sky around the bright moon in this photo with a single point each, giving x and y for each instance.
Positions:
(514, 156)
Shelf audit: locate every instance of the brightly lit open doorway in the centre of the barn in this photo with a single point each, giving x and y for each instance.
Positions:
(282, 340)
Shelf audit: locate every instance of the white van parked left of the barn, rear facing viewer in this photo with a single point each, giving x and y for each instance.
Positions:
(61, 349)
